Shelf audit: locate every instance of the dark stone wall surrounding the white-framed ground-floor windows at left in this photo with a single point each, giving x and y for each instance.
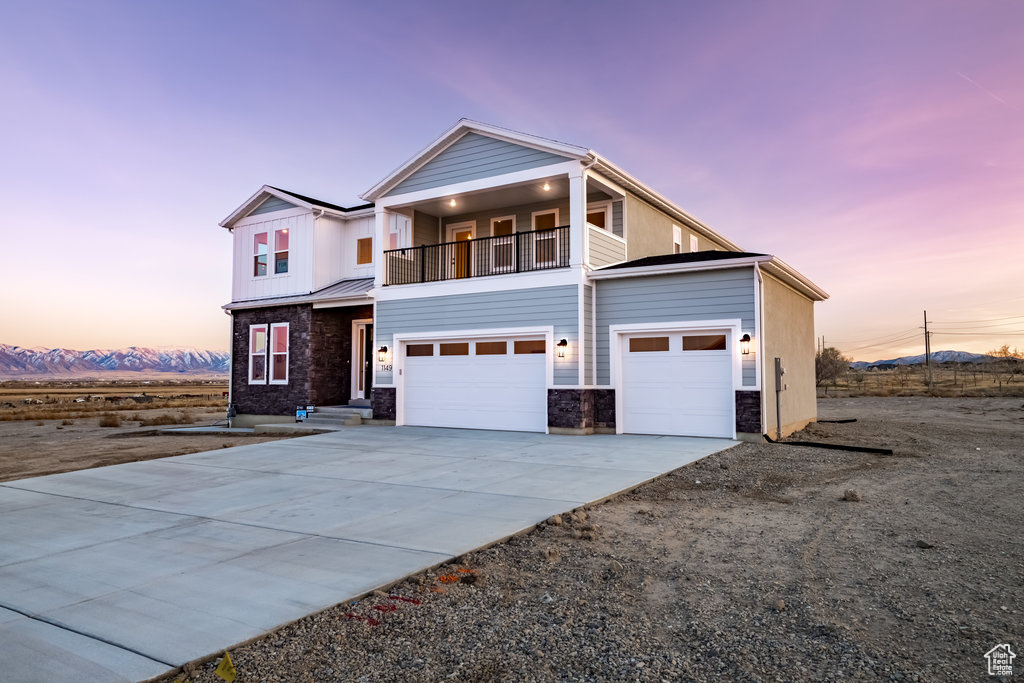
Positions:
(272, 399)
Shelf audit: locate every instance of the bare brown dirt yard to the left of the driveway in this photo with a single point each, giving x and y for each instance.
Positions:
(34, 448)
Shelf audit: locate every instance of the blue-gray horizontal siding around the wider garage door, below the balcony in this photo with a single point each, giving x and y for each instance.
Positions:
(517, 309)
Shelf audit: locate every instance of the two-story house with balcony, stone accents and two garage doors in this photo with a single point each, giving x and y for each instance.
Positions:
(504, 281)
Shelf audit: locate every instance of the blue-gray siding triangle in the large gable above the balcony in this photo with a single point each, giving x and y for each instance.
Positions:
(473, 157)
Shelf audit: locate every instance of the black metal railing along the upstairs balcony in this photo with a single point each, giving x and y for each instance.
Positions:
(520, 252)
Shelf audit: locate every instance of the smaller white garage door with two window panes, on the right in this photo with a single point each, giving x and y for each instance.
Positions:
(678, 383)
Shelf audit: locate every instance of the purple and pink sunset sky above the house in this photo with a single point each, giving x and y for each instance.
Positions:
(876, 147)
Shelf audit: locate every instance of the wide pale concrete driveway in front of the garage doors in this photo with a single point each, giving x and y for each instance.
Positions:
(124, 573)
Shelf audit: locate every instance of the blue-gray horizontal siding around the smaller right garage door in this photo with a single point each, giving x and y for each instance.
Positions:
(697, 296)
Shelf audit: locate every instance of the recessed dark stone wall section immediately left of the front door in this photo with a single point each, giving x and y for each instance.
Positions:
(331, 353)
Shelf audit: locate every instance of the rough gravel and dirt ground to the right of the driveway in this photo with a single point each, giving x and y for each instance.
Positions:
(763, 563)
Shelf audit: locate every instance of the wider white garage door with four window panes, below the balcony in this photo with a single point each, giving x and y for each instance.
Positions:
(477, 385)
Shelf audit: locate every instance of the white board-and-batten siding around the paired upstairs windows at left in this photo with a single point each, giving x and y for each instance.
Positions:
(298, 280)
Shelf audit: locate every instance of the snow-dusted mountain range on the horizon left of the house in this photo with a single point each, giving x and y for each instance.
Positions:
(38, 363)
